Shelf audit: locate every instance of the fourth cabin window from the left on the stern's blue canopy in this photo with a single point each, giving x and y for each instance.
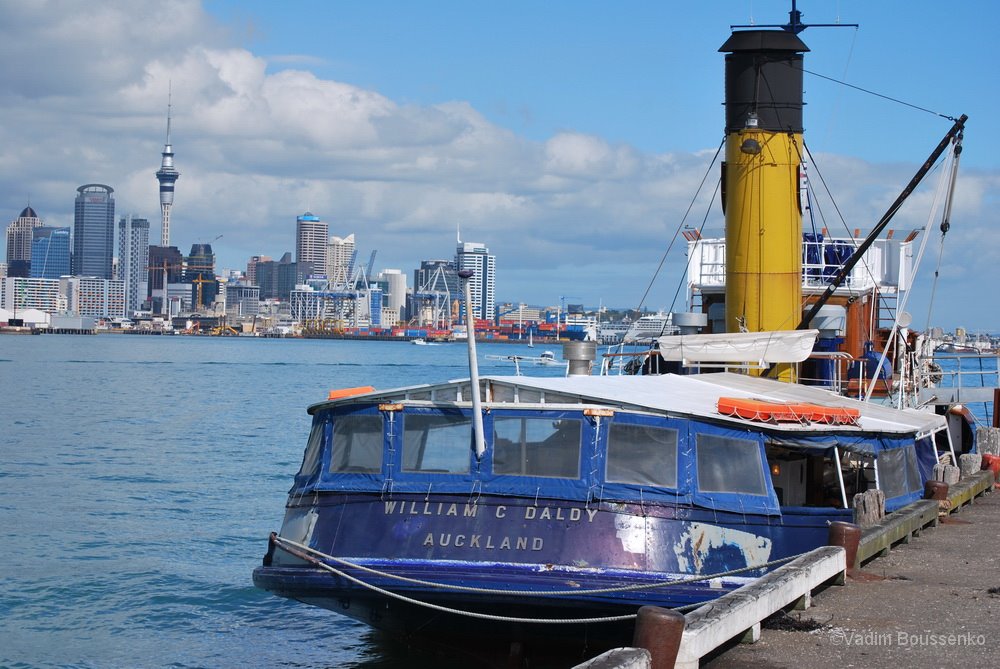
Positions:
(642, 454)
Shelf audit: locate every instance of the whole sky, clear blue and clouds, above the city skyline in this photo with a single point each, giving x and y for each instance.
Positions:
(569, 137)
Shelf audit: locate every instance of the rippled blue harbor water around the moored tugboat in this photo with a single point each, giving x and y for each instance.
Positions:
(140, 477)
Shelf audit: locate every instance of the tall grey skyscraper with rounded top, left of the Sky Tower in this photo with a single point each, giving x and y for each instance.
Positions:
(94, 231)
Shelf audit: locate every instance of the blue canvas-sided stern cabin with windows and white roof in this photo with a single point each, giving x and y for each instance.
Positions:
(659, 440)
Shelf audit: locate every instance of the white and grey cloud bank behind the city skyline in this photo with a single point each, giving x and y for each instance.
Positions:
(84, 100)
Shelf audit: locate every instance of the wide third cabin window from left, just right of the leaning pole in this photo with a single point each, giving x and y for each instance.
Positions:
(536, 447)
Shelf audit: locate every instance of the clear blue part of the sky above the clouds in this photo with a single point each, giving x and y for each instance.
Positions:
(644, 73)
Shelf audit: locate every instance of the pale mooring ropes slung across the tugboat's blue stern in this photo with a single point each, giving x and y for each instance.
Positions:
(316, 558)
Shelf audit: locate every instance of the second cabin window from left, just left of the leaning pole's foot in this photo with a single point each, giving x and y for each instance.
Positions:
(437, 443)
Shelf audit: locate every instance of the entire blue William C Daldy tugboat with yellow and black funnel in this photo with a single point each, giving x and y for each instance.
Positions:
(514, 509)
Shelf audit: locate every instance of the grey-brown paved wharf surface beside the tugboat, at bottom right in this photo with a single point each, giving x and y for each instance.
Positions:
(932, 602)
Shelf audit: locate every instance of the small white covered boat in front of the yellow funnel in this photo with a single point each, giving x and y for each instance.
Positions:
(769, 347)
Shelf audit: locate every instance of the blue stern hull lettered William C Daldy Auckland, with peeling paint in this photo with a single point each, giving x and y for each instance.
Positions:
(516, 544)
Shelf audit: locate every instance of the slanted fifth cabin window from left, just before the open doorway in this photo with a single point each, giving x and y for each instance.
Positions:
(731, 465)
